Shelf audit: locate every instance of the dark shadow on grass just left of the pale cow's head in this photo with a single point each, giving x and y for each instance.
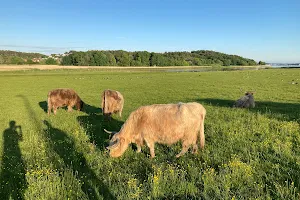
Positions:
(94, 125)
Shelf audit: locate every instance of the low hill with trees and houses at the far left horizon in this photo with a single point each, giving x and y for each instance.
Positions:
(20, 58)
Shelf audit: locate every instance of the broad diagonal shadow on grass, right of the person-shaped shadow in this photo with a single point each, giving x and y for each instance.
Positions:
(64, 146)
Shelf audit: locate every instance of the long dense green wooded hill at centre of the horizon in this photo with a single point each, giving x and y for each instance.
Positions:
(144, 58)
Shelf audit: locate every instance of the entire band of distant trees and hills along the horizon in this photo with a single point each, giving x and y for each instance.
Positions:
(124, 58)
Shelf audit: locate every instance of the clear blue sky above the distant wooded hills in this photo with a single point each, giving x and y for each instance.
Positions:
(267, 30)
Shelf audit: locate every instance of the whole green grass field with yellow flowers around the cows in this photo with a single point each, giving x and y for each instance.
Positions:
(249, 154)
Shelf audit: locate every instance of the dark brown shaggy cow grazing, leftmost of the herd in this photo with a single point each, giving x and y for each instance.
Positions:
(63, 97)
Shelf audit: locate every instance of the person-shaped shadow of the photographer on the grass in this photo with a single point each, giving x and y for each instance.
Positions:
(12, 177)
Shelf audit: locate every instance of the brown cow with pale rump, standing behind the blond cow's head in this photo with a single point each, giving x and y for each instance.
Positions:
(112, 102)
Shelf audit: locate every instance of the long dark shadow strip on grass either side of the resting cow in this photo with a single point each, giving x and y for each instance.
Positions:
(289, 111)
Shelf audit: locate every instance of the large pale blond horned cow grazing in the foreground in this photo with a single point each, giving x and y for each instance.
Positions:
(161, 123)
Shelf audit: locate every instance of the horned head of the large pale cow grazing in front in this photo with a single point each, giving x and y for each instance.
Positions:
(117, 145)
